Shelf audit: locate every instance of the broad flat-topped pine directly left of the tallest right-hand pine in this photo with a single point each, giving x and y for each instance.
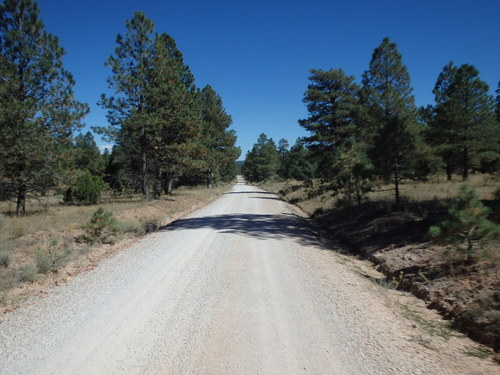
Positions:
(333, 105)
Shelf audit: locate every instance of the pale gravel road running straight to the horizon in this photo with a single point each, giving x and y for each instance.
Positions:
(239, 287)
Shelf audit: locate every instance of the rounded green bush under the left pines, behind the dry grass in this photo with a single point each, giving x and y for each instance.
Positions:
(86, 188)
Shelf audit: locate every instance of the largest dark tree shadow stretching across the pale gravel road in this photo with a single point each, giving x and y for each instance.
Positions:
(260, 226)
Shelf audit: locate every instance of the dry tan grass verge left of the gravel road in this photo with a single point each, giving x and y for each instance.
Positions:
(53, 227)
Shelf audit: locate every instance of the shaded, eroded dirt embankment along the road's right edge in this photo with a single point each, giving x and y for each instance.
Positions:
(398, 244)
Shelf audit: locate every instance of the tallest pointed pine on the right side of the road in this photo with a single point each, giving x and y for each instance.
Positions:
(391, 116)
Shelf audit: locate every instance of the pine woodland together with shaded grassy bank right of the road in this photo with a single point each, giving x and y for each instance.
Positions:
(413, 190)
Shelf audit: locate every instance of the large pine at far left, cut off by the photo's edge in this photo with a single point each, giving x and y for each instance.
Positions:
(38, 112)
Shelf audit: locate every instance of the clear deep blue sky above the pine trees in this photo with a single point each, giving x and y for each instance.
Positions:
(257, 54)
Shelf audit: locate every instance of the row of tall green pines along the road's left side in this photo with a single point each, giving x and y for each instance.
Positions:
(162, 126)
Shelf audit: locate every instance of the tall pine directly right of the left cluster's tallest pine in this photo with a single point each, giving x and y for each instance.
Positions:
(176, 122)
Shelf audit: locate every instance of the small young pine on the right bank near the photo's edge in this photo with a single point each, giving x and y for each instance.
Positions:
(467, 226)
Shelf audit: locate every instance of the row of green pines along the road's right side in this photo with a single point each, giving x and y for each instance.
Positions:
(373, 132)
